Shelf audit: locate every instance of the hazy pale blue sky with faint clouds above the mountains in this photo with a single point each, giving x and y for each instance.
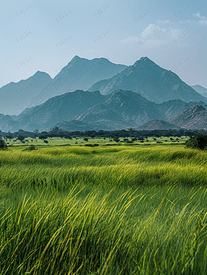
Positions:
(46, 34)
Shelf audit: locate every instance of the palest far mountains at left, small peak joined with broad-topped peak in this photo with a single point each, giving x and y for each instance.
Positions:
(80, 73)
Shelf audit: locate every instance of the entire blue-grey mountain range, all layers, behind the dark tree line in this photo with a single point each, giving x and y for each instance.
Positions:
(130, 97)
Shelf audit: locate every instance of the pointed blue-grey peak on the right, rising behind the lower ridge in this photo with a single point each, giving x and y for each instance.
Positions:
(151, 81)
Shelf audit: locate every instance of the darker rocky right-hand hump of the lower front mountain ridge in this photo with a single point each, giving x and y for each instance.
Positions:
(125, 109)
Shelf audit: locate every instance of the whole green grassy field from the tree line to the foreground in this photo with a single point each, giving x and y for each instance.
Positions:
(116, 208)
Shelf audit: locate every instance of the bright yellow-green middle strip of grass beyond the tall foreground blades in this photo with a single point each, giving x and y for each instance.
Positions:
(122, 166)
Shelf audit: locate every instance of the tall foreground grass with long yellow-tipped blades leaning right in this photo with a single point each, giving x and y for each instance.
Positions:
(82, 231)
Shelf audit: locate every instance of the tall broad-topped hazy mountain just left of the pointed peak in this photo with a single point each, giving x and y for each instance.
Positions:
(79, 74)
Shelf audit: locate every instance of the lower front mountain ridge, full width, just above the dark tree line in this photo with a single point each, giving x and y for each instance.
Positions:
(83, 110)
